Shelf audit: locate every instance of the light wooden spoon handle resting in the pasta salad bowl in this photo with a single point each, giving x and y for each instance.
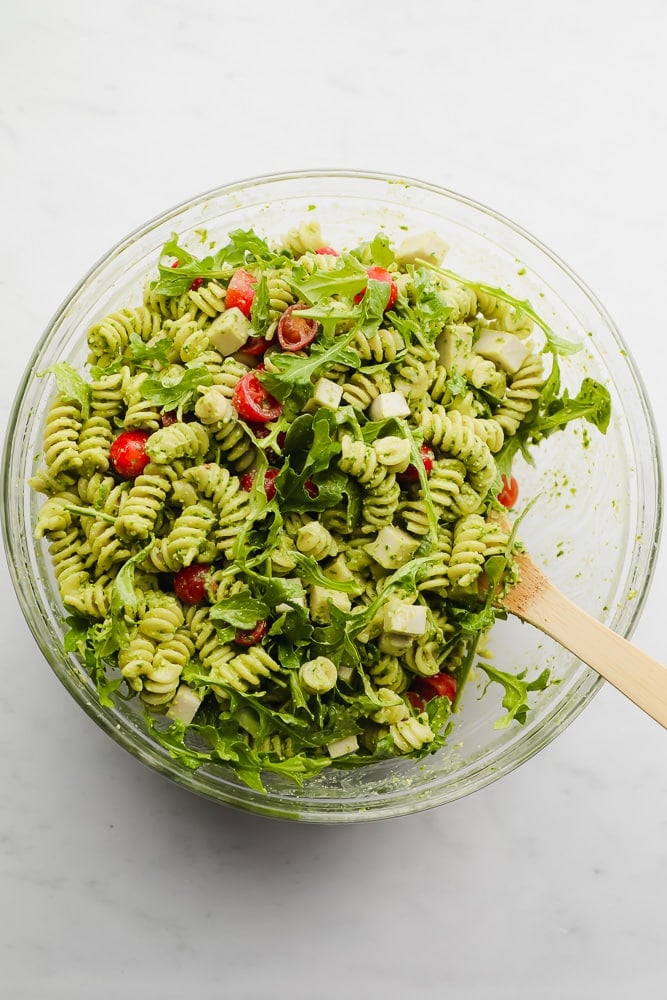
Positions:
(536, 600)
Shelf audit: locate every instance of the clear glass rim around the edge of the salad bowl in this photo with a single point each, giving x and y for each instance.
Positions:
(268, 805)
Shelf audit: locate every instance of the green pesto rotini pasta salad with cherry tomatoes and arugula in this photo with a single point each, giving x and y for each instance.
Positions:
(276, 500)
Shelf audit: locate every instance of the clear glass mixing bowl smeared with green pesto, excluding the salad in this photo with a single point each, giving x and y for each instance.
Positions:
(595, 528)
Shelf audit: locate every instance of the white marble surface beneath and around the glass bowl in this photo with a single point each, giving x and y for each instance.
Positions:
(550, 883)
